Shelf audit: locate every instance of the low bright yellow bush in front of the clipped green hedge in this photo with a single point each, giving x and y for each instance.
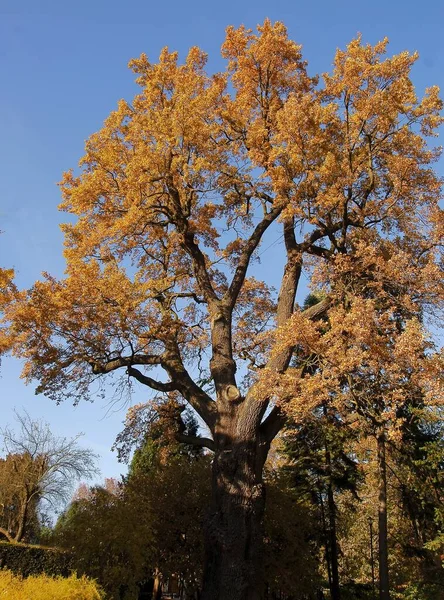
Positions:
(43, 587)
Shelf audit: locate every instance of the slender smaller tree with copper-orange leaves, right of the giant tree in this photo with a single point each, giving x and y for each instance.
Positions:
(375, 361)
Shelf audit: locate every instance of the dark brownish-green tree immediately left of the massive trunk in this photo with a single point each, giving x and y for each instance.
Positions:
(173, 479)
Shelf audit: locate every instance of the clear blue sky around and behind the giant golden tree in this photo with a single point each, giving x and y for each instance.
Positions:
(62, 70)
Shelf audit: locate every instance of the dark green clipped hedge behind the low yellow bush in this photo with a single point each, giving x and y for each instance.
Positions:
(25, 560)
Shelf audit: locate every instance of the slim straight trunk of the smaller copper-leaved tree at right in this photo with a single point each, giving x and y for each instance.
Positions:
(384, 593)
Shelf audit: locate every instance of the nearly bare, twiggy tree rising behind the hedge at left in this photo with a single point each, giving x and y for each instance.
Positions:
(38, 467)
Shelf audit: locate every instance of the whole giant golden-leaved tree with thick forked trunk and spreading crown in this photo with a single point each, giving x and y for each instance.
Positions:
(175, 195)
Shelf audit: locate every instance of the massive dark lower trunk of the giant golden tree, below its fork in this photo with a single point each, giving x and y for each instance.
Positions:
(234, 534)
